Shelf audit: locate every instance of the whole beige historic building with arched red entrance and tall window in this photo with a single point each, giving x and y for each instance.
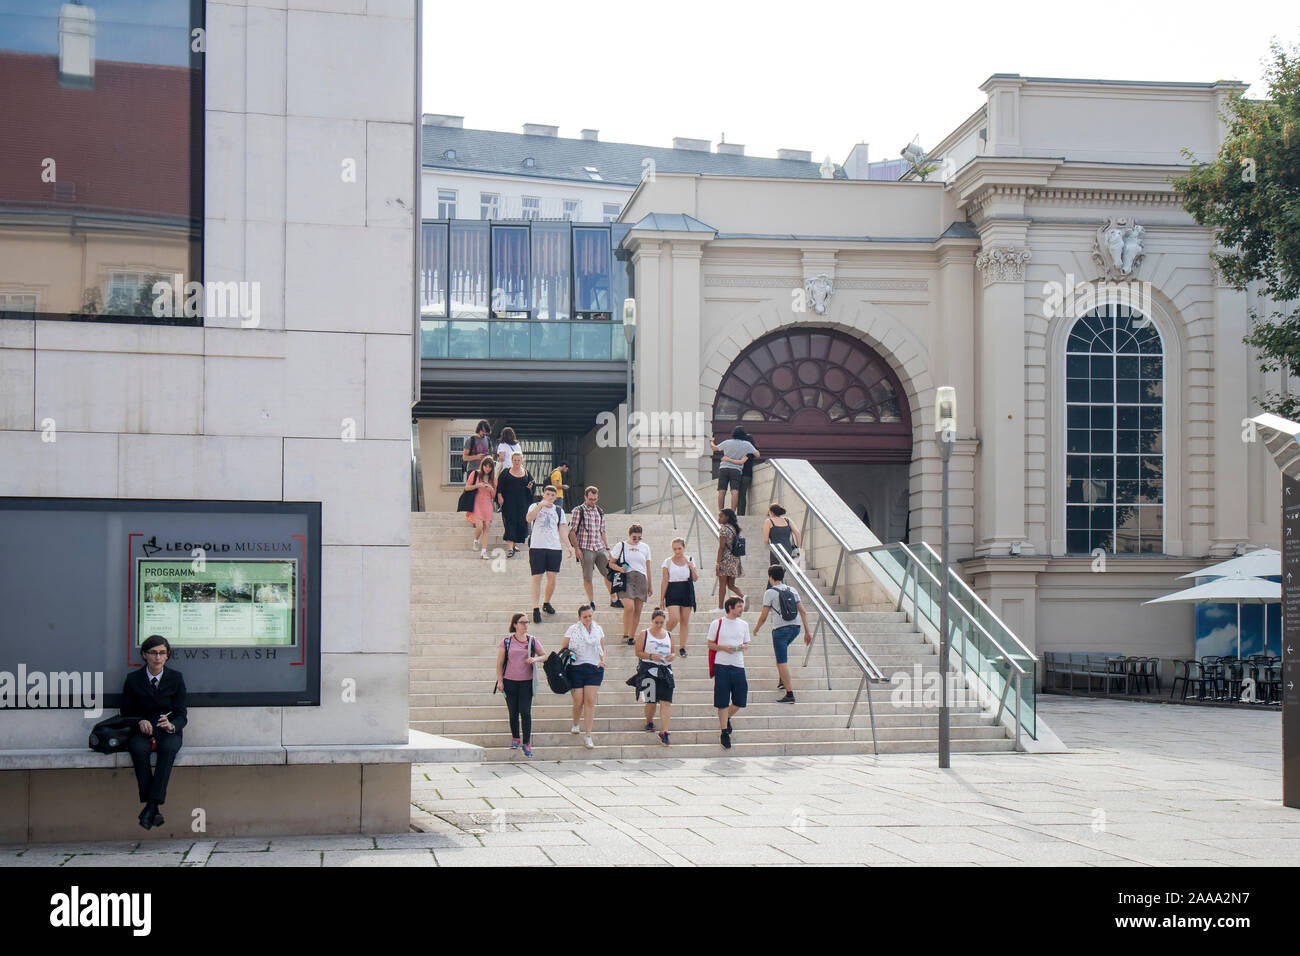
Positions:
(1048, 272)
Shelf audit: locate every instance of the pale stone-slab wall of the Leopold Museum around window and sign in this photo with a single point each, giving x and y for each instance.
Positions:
(261, 413)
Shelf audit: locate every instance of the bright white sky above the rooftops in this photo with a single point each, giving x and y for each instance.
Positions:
(818, 76)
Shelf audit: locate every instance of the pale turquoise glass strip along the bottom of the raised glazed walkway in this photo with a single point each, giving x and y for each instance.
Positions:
(526, 339)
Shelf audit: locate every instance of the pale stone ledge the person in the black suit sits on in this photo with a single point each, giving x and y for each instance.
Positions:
(421, 749)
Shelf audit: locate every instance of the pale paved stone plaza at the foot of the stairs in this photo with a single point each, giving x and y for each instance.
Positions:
(1146, 785)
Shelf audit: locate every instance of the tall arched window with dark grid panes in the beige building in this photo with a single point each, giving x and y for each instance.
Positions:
(1115, 434)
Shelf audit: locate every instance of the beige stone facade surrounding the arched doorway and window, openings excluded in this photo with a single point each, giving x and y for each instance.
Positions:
(952, 284)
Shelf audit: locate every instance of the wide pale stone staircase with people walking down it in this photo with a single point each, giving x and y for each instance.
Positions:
(461, 608)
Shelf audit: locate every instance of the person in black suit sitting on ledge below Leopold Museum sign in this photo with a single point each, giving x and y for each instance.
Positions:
(155, 697)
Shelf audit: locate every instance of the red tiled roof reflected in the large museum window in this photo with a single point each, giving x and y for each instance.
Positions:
(123, 146)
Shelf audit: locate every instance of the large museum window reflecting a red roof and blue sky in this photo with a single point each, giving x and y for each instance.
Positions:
(115, 93)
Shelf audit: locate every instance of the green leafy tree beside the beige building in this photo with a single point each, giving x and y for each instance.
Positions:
(1251, 197)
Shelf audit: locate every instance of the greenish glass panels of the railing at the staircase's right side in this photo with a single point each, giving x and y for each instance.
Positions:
(981, 641)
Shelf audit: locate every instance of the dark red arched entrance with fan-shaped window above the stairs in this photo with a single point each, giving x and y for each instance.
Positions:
(827, 397)
